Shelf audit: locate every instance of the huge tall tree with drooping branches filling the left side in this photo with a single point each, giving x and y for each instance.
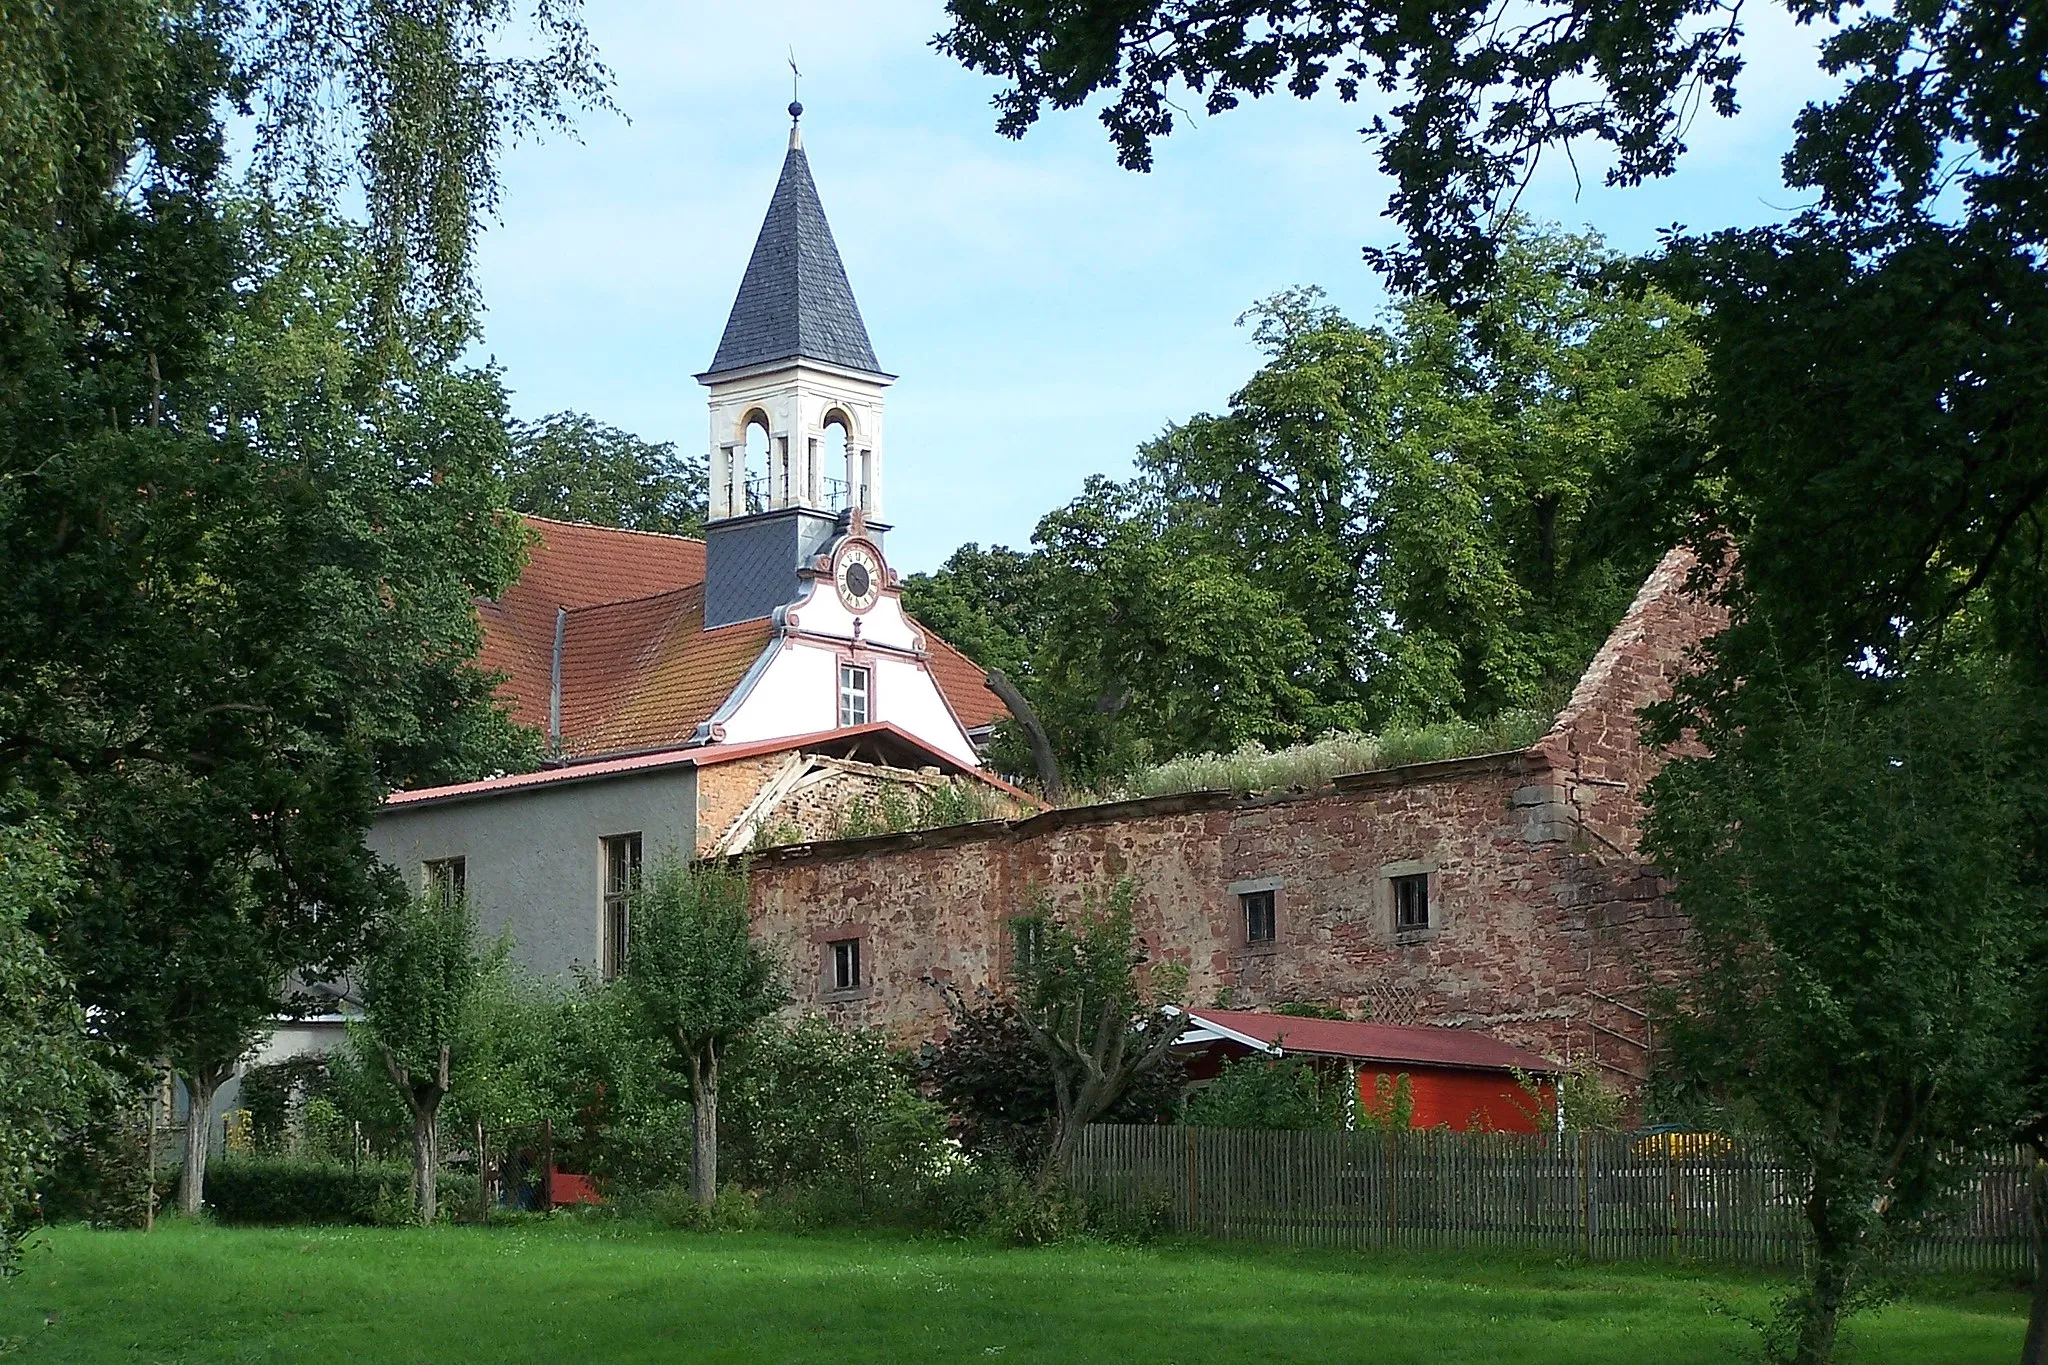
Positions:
(245, 486)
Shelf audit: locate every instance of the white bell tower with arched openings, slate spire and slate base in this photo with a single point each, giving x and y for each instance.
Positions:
(796, 382)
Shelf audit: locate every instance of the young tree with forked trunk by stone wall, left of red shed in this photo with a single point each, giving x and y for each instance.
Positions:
(1097, 1022)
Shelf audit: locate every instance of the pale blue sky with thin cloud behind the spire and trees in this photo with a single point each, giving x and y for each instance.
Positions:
(1046, 310)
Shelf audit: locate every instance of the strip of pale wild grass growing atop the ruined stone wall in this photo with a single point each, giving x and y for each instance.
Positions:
(1254, 768)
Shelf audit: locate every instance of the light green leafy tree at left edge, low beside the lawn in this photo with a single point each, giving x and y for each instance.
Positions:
(48, 1073)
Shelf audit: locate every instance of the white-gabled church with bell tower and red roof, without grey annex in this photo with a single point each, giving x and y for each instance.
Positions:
(785, 619)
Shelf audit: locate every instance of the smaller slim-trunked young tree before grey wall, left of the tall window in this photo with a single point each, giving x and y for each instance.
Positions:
(421, 989)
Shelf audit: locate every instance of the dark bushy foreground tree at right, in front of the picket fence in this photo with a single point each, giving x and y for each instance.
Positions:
(1854, 867)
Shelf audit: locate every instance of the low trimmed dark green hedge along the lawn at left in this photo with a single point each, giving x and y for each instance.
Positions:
(284, 1190)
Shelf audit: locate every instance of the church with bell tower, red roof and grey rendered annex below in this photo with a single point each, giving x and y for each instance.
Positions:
(712, 697)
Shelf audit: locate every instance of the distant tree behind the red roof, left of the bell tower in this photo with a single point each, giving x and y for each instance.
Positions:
(574, 468)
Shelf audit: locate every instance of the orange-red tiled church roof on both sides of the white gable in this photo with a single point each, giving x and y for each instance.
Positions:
(638, 666)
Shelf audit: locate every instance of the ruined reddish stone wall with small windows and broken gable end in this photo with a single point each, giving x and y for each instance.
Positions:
(1545, 926)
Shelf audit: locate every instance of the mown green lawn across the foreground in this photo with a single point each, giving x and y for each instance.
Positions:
(589, 1292)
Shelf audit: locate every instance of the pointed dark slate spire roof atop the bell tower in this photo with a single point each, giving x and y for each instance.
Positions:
(794, 300)
